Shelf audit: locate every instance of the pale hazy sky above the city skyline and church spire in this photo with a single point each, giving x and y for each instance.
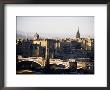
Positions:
(55, 27)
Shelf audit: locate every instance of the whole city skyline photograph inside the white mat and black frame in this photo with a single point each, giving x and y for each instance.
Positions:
(55, 45)
